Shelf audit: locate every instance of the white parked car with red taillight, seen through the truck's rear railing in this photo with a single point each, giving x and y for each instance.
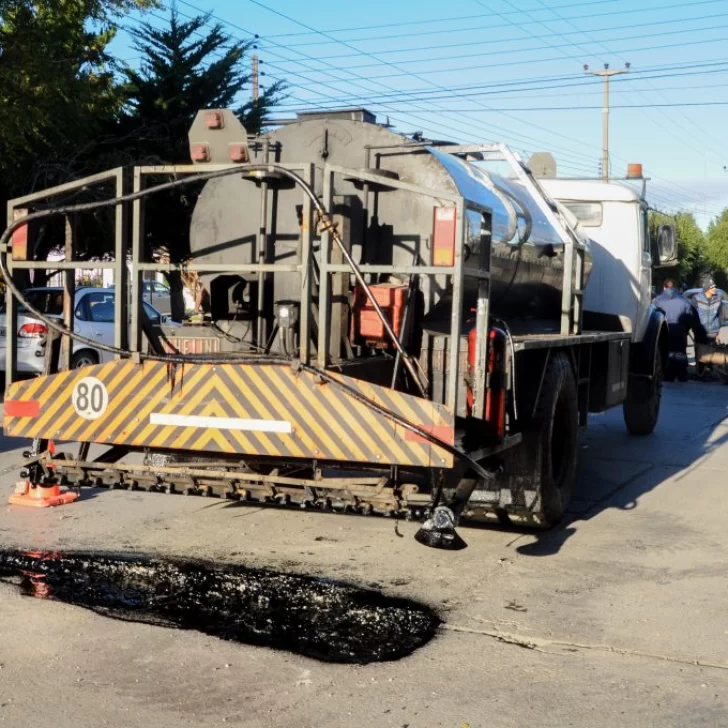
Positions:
(93, 319)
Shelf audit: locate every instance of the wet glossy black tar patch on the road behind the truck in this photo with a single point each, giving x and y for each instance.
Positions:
(322, 619)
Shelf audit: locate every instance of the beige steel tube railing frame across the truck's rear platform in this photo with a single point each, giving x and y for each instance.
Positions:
(128, 234)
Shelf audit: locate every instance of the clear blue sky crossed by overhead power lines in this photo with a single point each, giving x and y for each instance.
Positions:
(512, 70)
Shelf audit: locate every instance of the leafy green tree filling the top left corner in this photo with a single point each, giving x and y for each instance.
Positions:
(56, 86)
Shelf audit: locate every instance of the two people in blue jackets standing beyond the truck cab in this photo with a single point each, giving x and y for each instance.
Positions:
(703, 315)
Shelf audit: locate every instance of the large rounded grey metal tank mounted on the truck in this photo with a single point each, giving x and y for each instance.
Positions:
(383, 226)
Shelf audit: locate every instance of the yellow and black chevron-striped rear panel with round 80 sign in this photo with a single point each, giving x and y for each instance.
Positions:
(247, 409)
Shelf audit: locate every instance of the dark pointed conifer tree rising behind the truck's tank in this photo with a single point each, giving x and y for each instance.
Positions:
(186, 66)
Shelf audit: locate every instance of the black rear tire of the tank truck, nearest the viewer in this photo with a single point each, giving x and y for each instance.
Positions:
(548, 453)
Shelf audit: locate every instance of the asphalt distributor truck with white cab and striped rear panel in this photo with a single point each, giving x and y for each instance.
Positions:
(394, 326)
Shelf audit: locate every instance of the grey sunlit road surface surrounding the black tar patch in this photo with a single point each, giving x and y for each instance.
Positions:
(618, 618)
